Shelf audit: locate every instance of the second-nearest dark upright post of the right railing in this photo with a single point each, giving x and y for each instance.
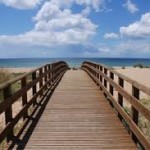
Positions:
(120, 97)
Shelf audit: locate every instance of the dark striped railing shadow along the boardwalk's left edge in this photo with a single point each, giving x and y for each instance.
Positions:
(22, 138)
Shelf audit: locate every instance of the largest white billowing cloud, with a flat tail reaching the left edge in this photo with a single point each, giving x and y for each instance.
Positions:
(55, 26)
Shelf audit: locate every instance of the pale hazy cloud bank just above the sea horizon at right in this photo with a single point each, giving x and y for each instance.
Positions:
(129, 48)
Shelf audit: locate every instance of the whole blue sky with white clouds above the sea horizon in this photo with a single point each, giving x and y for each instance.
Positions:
(74, 28)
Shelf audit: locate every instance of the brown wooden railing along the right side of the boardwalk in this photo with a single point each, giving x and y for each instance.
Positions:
(110, 81)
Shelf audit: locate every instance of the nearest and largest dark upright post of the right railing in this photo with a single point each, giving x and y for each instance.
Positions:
(135, 113)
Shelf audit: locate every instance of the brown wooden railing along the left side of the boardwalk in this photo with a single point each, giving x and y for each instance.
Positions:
(36, 82)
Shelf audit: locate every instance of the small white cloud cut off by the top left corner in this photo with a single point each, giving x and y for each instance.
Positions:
(21, 4)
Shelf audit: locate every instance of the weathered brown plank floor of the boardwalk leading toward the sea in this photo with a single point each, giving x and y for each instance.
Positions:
(78, 117)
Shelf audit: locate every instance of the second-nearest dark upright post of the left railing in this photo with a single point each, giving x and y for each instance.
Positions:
(24, 96)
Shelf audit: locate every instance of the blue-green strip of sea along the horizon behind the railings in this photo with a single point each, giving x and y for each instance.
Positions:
(72, 62)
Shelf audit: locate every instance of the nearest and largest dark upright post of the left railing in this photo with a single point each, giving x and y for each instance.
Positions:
(8, 113)
